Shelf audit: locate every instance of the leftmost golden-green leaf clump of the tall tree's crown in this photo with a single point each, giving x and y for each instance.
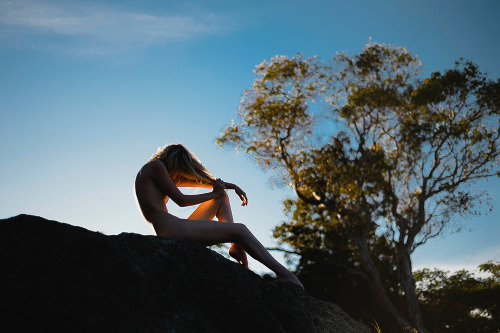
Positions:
(275, 109)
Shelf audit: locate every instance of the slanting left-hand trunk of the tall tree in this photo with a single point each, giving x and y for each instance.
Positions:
(377, 286)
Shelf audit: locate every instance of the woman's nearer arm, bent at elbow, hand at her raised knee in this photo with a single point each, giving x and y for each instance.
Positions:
(166, 185)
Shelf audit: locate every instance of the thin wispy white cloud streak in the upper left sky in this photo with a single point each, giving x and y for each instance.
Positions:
(97, 29)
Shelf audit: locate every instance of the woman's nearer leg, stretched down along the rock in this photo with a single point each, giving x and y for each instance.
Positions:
(215, 232)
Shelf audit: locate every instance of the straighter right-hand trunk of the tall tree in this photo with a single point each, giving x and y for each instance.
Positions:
(408, 283)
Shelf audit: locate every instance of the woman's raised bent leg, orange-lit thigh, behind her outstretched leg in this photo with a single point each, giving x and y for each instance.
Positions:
(221, 209)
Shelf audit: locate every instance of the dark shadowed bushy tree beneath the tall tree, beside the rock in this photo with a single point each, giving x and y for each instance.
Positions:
(329, 269)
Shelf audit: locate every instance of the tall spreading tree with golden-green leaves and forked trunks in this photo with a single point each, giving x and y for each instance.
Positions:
(370, 145)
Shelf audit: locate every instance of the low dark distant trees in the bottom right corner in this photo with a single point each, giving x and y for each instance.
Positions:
(460, 302)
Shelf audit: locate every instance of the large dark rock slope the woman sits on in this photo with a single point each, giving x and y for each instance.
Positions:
(60, 278)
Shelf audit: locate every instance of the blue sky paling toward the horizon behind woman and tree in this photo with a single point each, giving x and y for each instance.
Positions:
(90, 89)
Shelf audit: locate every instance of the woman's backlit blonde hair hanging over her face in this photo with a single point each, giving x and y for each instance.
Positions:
(181, 163)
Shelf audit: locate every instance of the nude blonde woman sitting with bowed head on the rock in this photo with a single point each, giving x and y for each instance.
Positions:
(174, 166)
